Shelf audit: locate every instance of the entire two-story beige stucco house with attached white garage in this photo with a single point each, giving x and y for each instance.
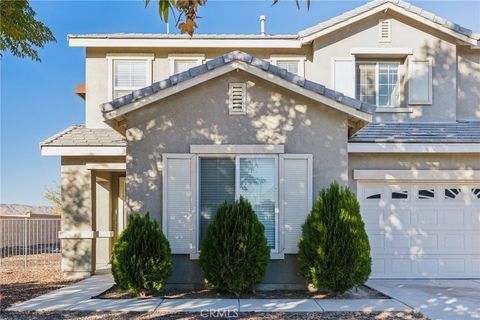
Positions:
(384, 99)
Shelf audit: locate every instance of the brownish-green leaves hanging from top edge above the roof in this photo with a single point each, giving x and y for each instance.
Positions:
(187, 11)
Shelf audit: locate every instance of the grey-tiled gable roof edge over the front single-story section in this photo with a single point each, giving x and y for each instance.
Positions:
(234, 61)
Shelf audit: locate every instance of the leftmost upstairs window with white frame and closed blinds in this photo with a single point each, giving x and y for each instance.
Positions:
(128, 73)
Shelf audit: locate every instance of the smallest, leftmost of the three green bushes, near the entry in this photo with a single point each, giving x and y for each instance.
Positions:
(142, 259)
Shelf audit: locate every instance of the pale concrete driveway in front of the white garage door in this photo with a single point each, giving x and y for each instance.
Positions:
(436, 299)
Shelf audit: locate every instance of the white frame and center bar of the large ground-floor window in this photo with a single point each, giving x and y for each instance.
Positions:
(275, 253)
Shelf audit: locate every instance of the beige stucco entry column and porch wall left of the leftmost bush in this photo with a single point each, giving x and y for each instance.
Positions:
(86, 205)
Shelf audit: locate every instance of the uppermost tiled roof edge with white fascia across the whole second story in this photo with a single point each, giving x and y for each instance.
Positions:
(287, 41)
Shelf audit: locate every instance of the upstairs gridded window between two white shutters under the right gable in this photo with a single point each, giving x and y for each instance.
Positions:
(378, 83)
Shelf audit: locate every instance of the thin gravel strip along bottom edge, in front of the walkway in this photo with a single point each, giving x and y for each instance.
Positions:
(192, 316)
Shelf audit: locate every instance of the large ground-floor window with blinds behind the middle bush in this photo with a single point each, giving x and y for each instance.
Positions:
(226, 178)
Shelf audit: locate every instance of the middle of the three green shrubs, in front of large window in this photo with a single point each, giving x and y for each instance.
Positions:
(234, 253)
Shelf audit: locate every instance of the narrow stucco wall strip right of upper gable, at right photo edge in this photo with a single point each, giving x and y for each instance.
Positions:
(468, 84)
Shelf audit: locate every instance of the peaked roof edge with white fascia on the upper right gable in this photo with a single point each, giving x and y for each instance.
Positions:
(399, 6)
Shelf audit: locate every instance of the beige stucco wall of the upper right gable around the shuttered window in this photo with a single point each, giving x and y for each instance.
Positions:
(426, 43)
